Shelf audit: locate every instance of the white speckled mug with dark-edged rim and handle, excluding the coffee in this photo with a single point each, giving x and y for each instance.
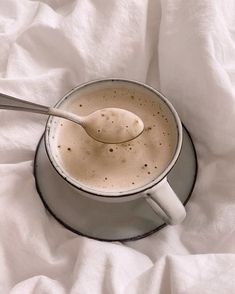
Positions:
(158, 193)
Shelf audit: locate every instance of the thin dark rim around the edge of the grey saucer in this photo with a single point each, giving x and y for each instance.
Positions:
(110, 240)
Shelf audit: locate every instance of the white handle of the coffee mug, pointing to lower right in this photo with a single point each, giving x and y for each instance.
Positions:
(165, 203)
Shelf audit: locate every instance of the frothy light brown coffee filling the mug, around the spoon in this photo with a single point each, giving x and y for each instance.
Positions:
(117, 167)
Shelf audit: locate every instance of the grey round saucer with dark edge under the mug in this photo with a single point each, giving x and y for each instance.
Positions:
(126, 221)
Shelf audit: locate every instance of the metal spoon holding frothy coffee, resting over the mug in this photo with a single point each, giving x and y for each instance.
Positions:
(107, 125)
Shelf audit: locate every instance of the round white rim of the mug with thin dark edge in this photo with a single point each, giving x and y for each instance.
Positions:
(122, 194)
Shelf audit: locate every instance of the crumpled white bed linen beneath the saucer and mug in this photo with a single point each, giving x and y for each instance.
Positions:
(184, 48)
